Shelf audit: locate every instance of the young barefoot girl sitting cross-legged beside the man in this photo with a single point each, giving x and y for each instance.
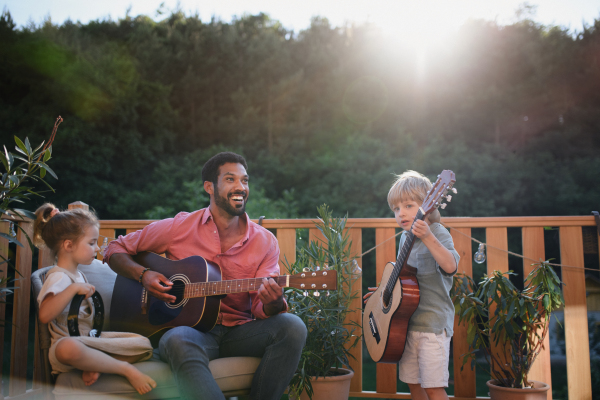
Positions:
(73, 236)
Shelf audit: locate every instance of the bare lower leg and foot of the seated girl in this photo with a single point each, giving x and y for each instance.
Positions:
(91, 361)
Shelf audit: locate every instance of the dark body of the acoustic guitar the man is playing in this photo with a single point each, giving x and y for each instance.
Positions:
(126, 313)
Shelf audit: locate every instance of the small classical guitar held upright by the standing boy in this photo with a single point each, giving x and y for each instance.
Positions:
(388, 310)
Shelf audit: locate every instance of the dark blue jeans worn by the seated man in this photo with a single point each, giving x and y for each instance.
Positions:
(278, 340)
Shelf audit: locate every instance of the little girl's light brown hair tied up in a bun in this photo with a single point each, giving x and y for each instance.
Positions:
(52, 227)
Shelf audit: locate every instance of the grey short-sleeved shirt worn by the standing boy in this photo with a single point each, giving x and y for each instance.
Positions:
(435, 311)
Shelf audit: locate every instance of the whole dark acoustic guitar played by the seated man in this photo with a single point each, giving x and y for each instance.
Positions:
(198, 289)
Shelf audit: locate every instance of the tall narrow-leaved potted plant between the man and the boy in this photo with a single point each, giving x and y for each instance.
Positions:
(330, 338)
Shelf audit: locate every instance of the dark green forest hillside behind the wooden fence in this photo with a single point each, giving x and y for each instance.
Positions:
(324, 115)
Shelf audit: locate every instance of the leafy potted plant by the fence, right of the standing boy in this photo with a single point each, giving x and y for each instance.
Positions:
(509, 325)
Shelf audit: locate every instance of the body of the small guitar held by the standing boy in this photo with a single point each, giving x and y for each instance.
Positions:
(385, 327)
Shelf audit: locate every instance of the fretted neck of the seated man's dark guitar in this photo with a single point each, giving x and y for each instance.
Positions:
(203, 289)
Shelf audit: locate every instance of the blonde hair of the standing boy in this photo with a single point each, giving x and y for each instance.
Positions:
(414, 186)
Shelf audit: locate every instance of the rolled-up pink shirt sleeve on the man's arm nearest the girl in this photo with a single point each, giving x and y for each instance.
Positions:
(154, 237)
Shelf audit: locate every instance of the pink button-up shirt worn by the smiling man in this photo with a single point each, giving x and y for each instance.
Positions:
(256, 255)
